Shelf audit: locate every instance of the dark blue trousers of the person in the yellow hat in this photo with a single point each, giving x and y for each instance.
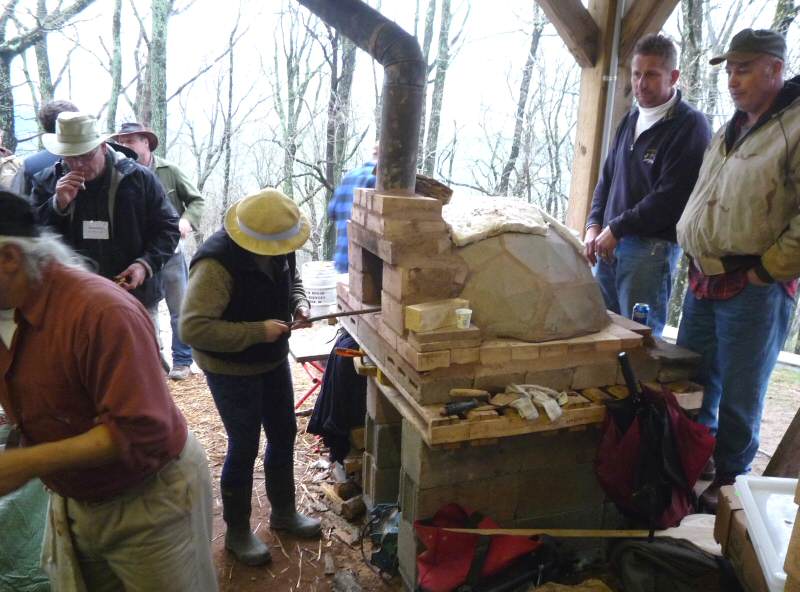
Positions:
(245, 404)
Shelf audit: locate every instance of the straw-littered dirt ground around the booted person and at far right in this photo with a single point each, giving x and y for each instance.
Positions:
(298, 565)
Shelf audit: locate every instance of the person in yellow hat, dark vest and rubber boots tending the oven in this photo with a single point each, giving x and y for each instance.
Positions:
(244, 291)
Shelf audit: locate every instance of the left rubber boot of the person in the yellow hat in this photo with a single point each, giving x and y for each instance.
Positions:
(239, 539)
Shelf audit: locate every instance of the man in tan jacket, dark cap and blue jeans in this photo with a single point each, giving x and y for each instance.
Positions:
(741, 230)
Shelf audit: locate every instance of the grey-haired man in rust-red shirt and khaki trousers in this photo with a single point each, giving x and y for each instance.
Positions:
(131, 498)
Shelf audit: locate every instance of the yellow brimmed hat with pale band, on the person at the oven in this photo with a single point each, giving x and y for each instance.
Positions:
(267, 223)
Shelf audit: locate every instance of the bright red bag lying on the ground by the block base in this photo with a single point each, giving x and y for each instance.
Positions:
(449, 557)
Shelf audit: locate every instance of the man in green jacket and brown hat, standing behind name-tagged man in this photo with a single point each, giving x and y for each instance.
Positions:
(188, 202)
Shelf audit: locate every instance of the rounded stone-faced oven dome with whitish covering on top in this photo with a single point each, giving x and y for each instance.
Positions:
(527, 276)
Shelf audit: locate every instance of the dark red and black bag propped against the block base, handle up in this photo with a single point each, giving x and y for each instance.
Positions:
(650, 456)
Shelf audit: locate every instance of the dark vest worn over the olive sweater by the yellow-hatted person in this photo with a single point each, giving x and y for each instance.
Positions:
(256, 297)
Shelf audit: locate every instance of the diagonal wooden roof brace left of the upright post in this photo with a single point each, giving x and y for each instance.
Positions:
(576, 27)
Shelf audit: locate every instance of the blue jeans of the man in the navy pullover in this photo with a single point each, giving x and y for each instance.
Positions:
(642, 271)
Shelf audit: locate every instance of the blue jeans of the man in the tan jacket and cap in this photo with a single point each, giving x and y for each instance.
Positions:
(739, 340)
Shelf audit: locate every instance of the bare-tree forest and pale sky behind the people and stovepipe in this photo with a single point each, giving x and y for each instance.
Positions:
(254, 94)
